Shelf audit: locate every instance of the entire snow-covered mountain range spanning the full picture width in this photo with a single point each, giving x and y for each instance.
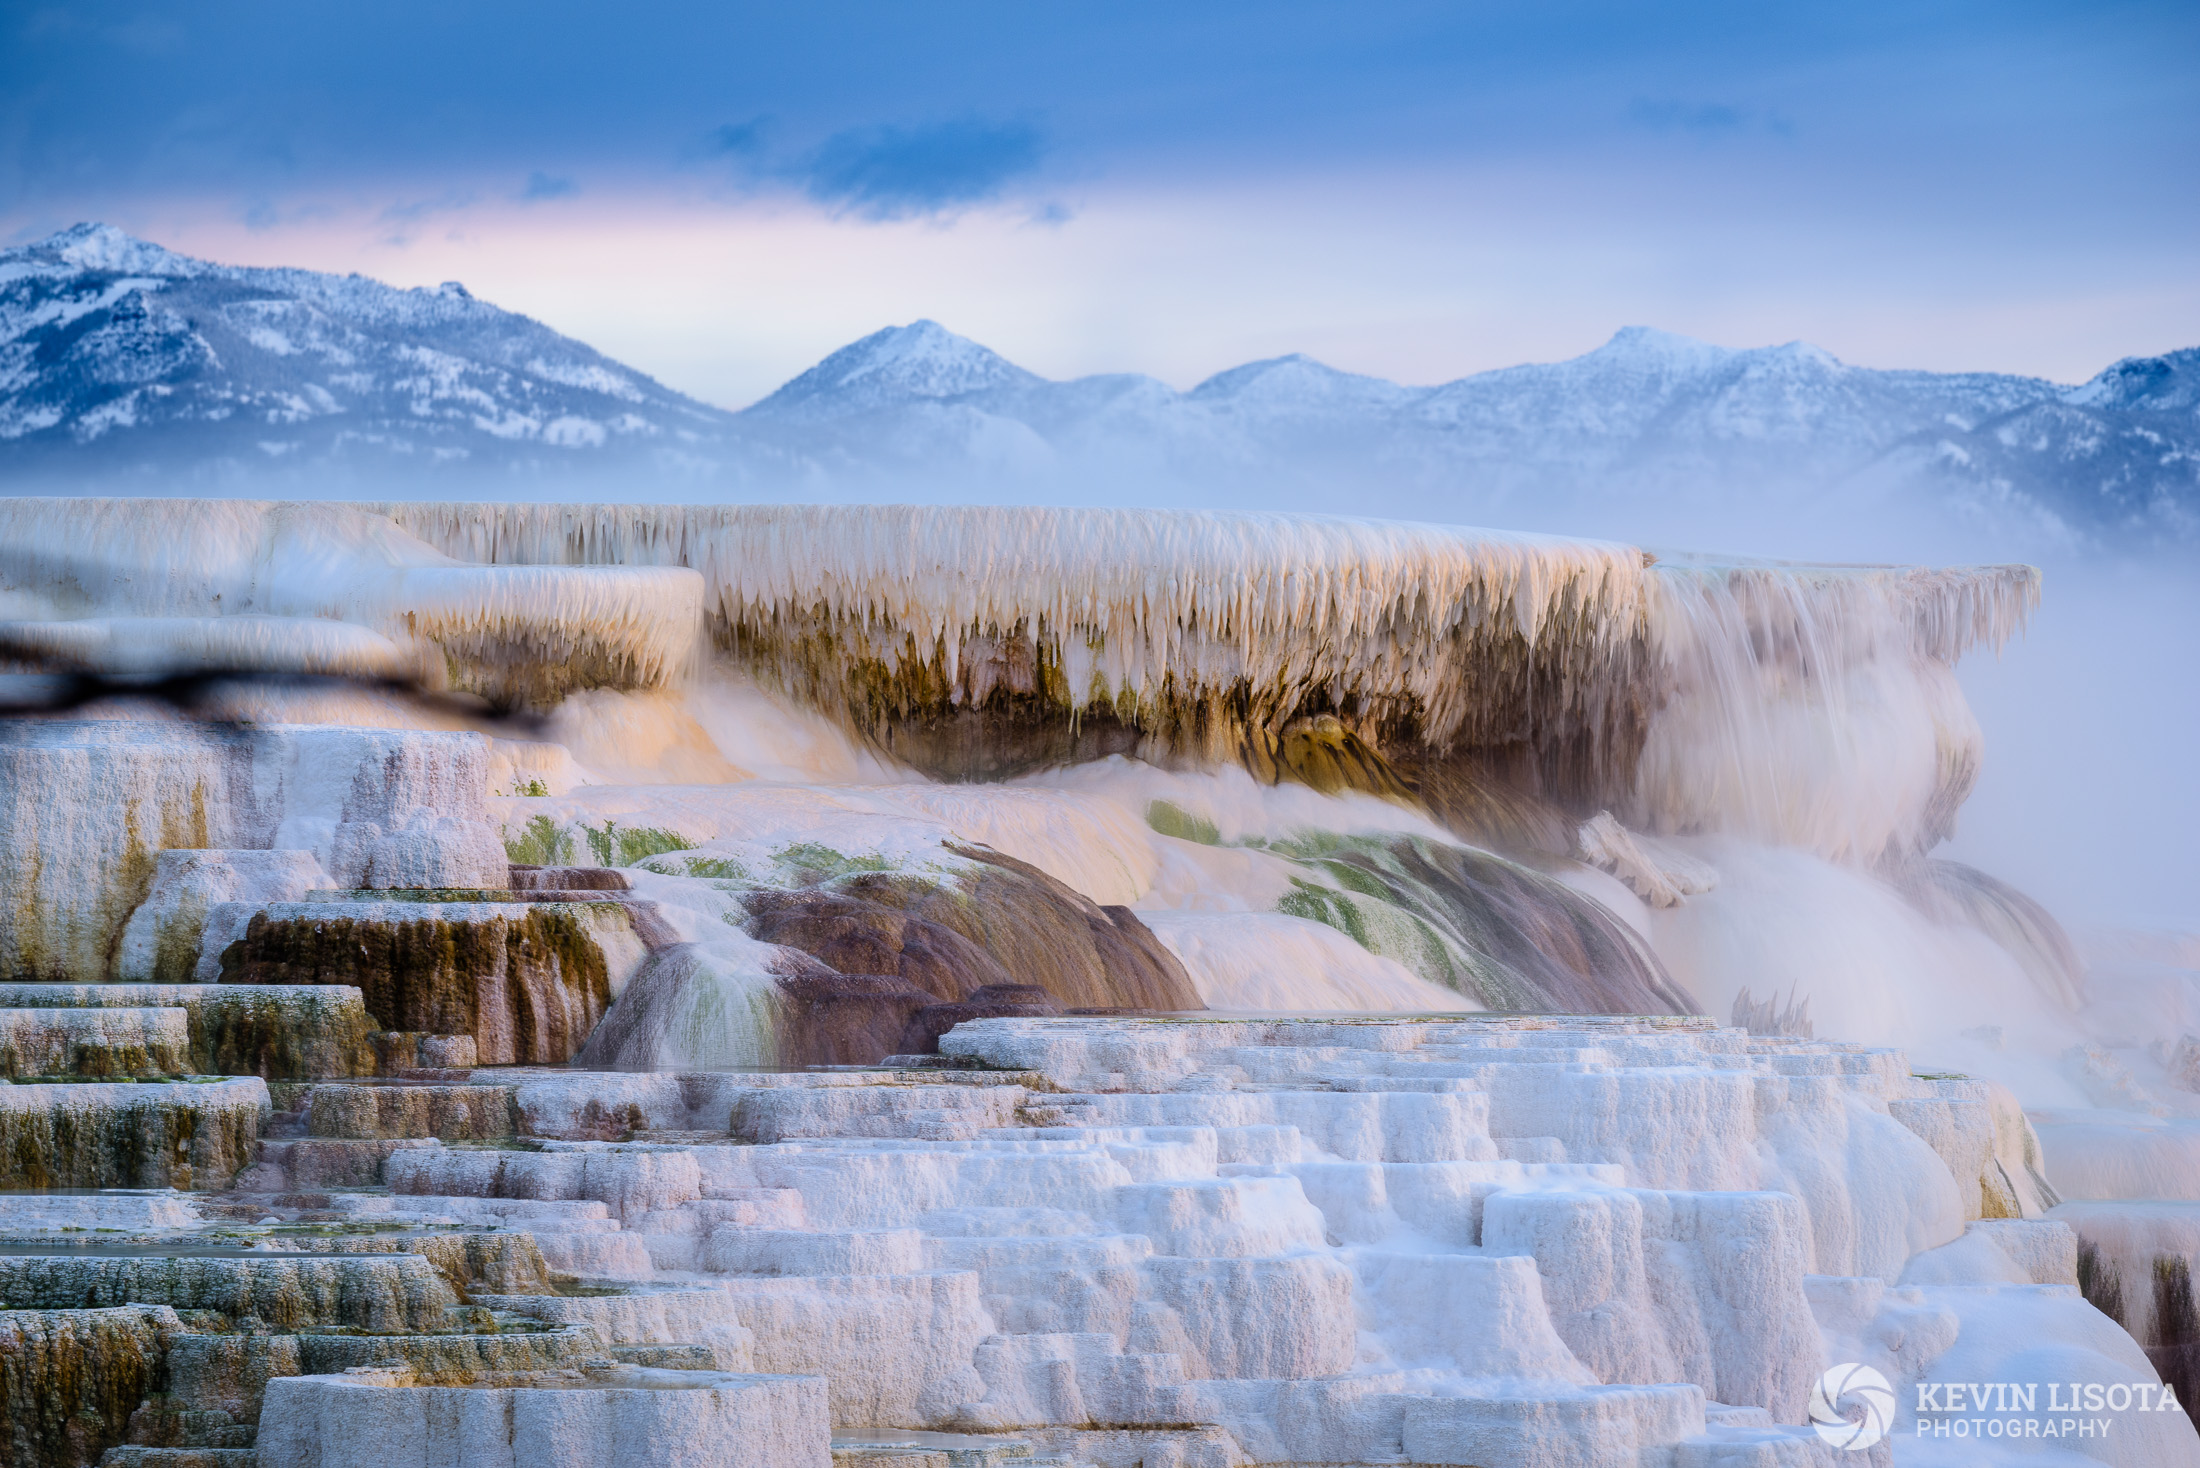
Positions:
(120, 360)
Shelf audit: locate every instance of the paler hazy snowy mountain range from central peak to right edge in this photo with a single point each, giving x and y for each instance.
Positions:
(1647, 428)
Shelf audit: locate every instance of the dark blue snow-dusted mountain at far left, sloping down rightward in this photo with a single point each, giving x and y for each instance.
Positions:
(120, 358)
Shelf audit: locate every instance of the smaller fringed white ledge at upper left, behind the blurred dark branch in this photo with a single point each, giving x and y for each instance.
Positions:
(155, 571)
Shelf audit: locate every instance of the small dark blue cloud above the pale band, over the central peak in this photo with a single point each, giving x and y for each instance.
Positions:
(905, 173)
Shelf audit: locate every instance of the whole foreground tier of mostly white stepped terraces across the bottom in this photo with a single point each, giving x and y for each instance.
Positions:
(1079, 1240)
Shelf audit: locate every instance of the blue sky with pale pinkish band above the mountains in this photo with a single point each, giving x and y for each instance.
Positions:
(723, 193)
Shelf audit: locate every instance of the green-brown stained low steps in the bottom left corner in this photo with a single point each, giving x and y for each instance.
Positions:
(239, 1308)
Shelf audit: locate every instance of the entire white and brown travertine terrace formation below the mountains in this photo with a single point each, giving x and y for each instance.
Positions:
(1424, 1000)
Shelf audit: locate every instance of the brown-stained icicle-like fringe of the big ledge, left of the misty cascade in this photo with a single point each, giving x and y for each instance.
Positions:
(1154, 615)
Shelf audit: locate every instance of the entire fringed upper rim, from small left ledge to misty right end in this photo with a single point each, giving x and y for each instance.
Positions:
(1803, 705)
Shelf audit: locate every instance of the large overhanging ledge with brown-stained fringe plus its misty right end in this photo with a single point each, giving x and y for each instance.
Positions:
(1809, 705)
